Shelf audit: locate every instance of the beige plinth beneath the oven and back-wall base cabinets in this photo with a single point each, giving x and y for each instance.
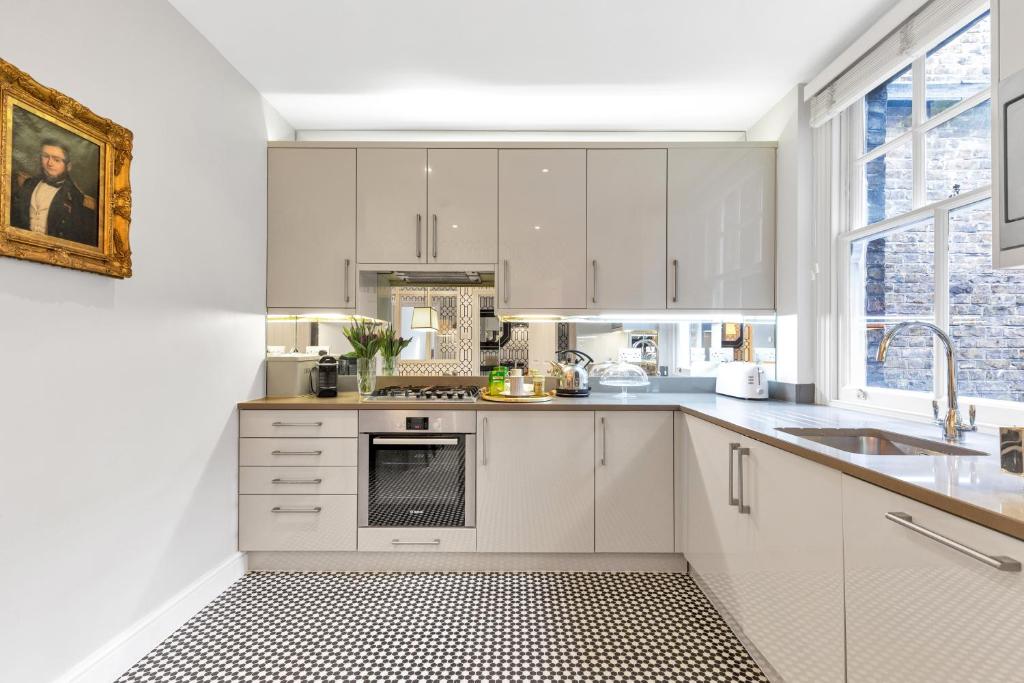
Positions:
(456, 563)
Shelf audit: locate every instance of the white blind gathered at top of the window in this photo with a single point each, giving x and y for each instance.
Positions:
(927, 27)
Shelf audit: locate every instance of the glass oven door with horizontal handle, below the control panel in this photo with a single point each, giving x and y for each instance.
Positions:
(417, 481)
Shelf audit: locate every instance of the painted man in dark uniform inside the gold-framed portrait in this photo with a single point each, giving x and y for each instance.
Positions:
(51, 203)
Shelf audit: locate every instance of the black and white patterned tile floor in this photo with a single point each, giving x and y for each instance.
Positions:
(320, 628)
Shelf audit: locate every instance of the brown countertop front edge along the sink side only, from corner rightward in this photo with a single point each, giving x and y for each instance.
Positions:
(973, 514)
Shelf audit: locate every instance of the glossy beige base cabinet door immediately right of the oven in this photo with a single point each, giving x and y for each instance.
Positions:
(535, 482)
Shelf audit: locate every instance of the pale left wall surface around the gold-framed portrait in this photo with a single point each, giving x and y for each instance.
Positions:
(118, 424)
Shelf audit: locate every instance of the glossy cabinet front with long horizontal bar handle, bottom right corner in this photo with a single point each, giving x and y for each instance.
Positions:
(918, 611)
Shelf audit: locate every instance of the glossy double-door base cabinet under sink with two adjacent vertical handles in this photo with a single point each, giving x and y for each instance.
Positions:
(773, 559)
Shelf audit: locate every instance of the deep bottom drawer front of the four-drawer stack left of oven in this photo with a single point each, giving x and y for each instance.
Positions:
(297, 523)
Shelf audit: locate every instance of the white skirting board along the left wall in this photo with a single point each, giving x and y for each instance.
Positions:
(115, 658)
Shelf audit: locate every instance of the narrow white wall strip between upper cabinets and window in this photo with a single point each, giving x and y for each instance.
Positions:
(789, 123)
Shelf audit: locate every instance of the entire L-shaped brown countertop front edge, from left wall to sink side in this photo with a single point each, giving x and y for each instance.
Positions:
(989, 519)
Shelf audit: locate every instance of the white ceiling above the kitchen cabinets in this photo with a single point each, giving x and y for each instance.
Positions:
(529, 65)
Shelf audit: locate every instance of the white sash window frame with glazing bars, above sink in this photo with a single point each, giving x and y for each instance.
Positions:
(851, 391)
